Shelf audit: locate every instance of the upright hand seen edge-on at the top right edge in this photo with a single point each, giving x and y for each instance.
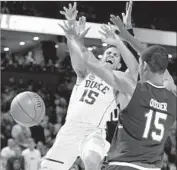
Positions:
(127, 16)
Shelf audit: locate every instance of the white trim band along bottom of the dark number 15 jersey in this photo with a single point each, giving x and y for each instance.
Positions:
(132, 165)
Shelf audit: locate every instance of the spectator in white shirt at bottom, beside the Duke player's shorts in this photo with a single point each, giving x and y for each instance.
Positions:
(32, 156)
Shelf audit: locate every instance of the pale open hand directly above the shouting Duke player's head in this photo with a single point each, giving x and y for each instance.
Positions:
(108, 33)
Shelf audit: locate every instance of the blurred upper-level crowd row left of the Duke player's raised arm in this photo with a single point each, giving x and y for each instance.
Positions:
(28, 63)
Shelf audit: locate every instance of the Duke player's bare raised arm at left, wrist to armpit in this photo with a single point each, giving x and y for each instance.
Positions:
(77, 62)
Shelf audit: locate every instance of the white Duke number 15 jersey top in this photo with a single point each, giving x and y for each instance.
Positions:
(91, 103)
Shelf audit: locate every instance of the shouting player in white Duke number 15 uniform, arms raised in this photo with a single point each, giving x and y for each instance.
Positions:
(91, 102)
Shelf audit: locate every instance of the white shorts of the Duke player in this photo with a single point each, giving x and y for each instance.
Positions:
(70, 143)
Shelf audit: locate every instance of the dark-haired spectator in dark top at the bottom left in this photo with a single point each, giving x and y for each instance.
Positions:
(16, 162)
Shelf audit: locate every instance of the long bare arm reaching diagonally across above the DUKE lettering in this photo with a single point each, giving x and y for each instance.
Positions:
(117, 80)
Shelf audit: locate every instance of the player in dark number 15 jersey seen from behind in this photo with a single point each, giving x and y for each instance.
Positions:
(139, 139)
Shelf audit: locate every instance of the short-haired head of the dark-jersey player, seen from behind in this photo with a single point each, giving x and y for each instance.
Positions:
(157, 58)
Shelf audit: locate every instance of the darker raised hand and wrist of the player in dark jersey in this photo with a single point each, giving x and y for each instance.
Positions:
(123, 33)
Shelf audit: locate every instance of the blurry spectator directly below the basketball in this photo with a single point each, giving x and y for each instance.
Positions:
(21, 135)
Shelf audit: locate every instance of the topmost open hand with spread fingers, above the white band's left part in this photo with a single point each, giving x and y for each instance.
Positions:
(70, 13)
